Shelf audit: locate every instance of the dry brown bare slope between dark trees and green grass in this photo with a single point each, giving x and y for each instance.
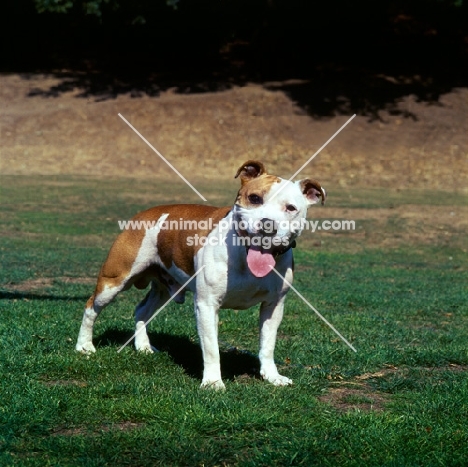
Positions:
(208, 135)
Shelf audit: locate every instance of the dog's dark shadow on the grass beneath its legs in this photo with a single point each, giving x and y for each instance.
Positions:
(188, 355)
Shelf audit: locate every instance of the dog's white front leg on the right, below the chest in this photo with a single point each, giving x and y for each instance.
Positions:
(271, 315)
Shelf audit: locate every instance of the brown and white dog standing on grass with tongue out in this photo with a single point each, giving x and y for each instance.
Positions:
(236, 246)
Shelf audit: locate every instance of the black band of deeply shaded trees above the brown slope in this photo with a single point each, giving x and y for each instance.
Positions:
(347, 57)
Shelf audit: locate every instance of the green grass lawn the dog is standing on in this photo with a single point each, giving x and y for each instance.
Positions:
(401, 400)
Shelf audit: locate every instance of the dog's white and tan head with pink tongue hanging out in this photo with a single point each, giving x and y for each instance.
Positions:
(269, 213)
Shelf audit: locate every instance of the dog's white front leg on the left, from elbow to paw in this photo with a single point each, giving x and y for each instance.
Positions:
(207, 325)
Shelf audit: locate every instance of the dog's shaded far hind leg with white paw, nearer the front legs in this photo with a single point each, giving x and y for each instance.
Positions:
(156, 297)
